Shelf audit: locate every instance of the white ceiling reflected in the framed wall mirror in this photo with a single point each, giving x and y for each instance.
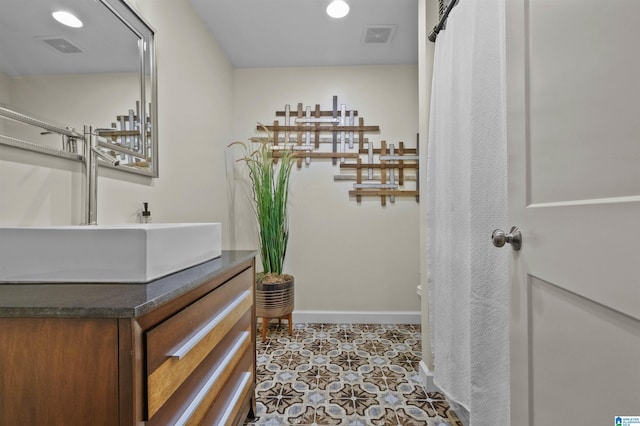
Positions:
(105, 43)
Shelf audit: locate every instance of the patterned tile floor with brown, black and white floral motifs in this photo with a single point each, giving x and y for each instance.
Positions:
(348, 374)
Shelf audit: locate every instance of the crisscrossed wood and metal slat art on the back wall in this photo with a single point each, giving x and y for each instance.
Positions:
(383, 171)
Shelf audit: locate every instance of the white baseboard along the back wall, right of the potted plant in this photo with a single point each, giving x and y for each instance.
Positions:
(357, 317)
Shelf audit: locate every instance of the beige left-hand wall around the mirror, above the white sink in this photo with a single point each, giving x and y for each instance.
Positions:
(195, 94)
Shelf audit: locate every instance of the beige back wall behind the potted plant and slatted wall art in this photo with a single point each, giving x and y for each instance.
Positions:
(345, 256)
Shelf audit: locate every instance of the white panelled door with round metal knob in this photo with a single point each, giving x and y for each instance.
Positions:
(573, 74)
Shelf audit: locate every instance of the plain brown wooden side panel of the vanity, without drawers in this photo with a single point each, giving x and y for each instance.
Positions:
(59, 371)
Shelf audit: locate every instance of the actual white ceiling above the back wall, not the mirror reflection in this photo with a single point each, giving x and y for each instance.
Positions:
(288, 33)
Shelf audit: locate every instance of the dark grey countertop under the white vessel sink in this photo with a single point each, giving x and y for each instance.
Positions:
(104, 300)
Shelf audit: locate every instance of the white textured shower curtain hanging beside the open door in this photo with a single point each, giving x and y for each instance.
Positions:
(466, 195)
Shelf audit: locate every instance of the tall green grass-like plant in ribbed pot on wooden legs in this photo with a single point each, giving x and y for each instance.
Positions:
(270, 175)
